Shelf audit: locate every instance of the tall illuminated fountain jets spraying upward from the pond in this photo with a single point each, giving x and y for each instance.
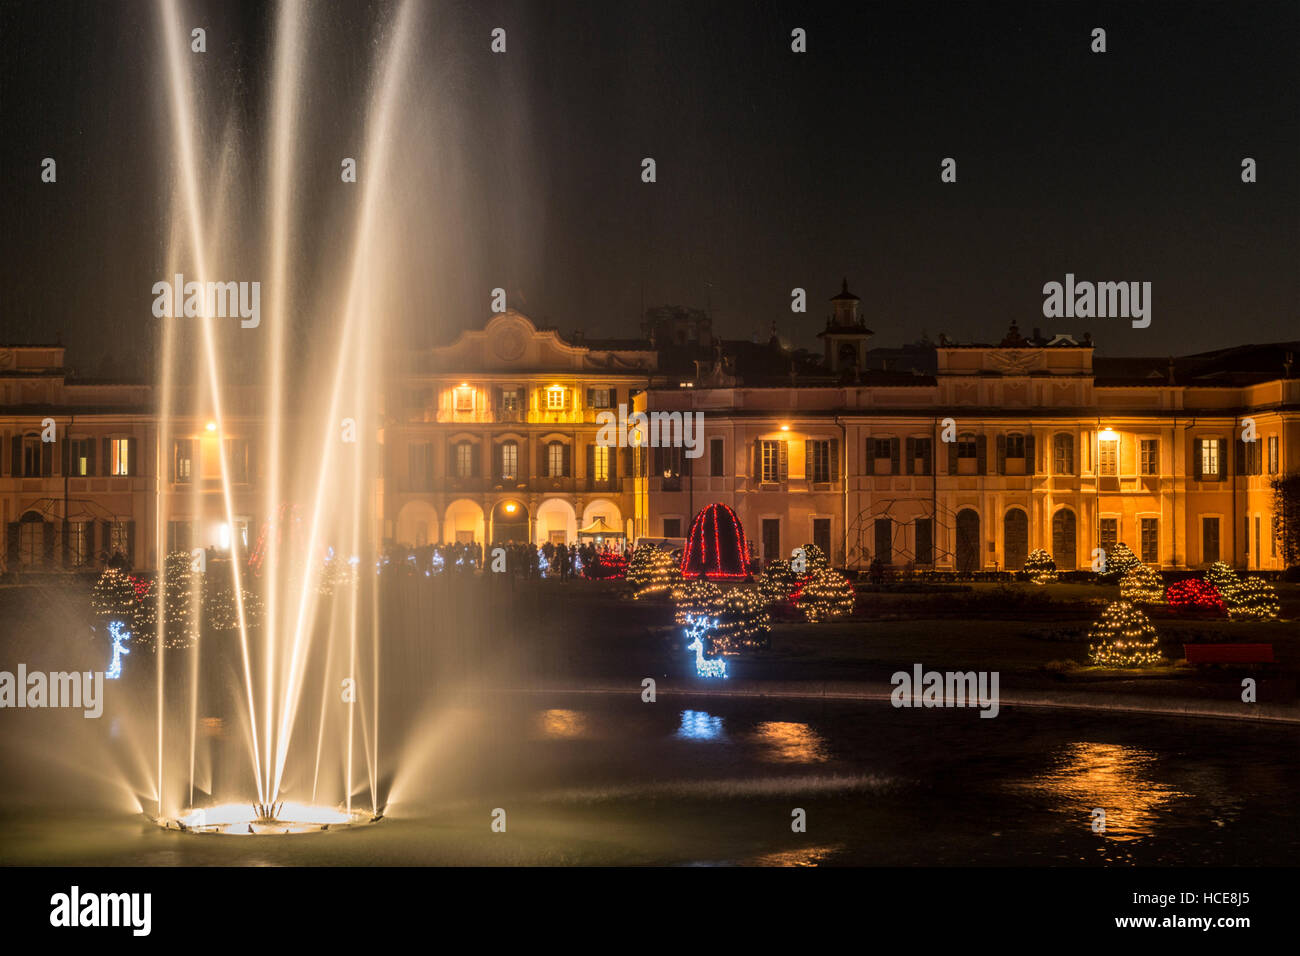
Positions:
(278, 729)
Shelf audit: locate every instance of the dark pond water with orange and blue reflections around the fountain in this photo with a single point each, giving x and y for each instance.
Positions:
(599, 780)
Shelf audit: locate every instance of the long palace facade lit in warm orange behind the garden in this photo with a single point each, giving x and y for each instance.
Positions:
(939, 456)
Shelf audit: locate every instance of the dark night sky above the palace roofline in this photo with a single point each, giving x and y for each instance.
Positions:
(775, 170)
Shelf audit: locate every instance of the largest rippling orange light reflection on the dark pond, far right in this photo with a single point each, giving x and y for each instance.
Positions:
(1116, 778)
